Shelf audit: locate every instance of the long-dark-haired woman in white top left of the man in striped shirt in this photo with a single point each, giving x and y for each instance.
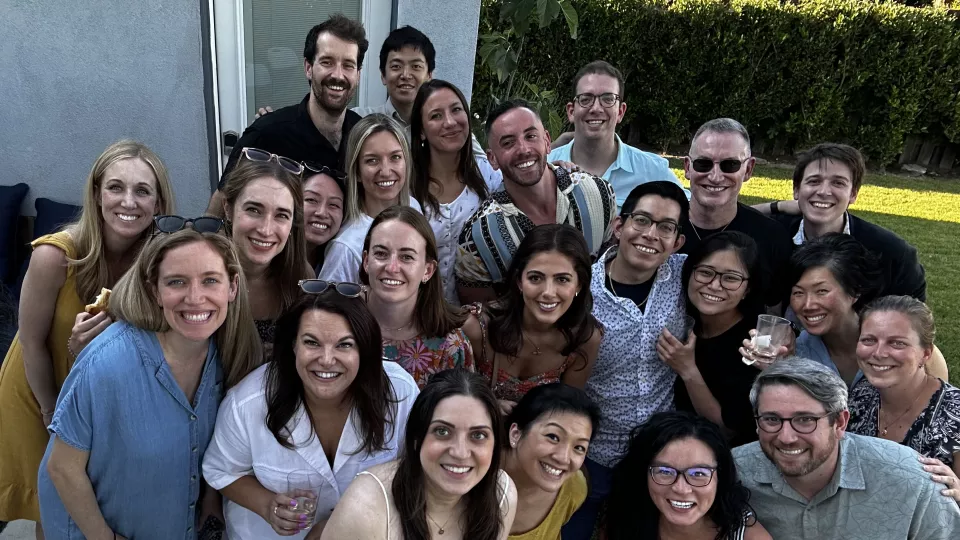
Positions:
(447, 178)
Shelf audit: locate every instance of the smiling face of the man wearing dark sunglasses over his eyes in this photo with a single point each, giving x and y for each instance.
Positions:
(715, 188)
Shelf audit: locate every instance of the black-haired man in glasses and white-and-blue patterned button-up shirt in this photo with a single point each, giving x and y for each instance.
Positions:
(637, 290)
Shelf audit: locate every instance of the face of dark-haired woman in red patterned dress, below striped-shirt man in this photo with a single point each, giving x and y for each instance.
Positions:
(548, 284)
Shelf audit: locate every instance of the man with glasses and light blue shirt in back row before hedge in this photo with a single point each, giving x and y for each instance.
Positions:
(595, 111)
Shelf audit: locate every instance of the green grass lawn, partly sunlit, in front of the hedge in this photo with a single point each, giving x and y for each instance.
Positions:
(924, 211)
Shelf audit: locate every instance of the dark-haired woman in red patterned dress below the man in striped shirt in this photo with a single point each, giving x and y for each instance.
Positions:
(542, 330)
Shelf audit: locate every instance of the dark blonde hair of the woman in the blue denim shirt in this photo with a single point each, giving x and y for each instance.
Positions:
(134, 300)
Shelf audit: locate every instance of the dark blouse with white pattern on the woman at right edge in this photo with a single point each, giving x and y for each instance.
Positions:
(935, 433)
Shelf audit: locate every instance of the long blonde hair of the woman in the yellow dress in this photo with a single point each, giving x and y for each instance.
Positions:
(92, 272)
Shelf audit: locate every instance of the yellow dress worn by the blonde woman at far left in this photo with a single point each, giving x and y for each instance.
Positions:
(23, 437)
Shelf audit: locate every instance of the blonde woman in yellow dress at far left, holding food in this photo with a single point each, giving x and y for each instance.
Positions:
(126, 187)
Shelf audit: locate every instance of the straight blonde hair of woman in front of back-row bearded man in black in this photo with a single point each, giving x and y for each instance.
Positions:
(367, 126)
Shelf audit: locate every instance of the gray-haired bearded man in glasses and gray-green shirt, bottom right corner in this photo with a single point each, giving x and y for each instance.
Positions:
(809, 479)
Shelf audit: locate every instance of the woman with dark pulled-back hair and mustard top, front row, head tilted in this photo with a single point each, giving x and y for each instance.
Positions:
(547, 442)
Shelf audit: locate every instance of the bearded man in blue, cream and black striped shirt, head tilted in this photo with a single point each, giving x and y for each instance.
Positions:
(534, 193)
